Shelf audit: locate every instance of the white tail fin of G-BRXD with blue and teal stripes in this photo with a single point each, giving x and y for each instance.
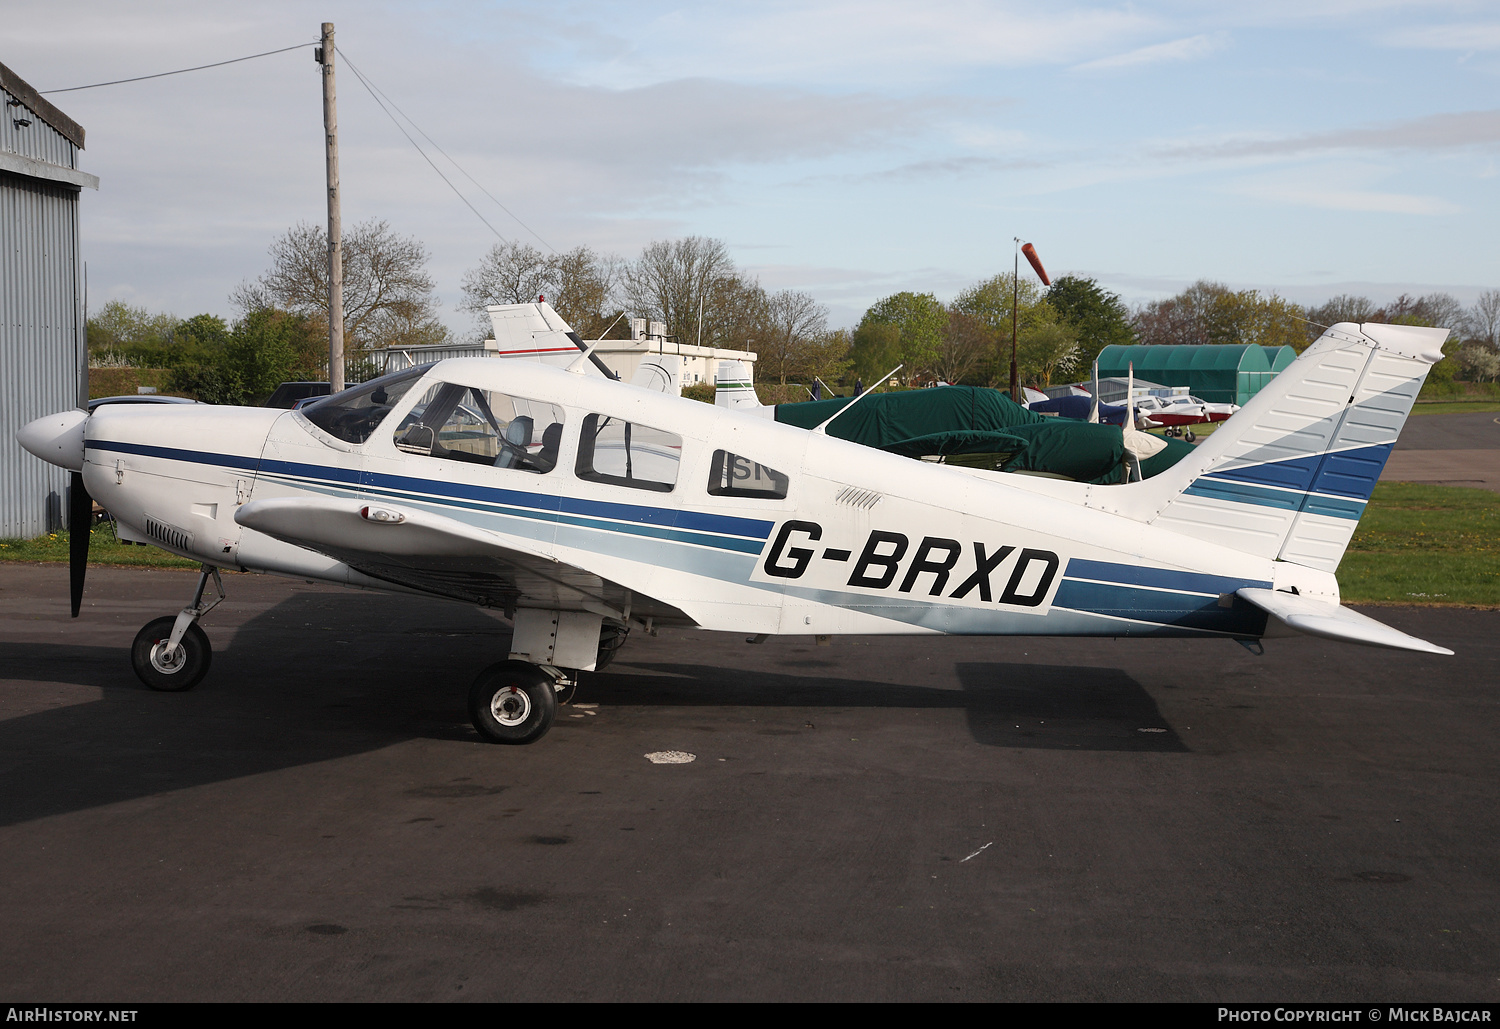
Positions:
(1289, 475)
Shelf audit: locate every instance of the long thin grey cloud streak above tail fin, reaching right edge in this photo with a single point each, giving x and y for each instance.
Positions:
(1432, 133)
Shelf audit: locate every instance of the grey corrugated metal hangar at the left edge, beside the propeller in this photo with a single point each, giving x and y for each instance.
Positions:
(44, 353)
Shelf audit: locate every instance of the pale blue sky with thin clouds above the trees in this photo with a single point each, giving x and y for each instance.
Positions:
(851, 151)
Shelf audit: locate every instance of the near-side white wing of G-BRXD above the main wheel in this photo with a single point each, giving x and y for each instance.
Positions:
(445, 557)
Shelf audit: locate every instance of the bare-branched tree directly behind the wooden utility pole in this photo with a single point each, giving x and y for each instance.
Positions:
(385, 283)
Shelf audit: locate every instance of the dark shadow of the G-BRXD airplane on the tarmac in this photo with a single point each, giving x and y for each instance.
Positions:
(325, 676)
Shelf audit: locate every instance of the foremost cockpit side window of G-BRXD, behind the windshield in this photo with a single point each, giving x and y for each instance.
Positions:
(466, 424)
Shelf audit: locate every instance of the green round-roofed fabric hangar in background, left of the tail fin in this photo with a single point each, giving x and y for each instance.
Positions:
(1214, 373)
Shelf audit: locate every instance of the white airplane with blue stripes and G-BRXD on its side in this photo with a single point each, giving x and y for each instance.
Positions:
(586, 508)
